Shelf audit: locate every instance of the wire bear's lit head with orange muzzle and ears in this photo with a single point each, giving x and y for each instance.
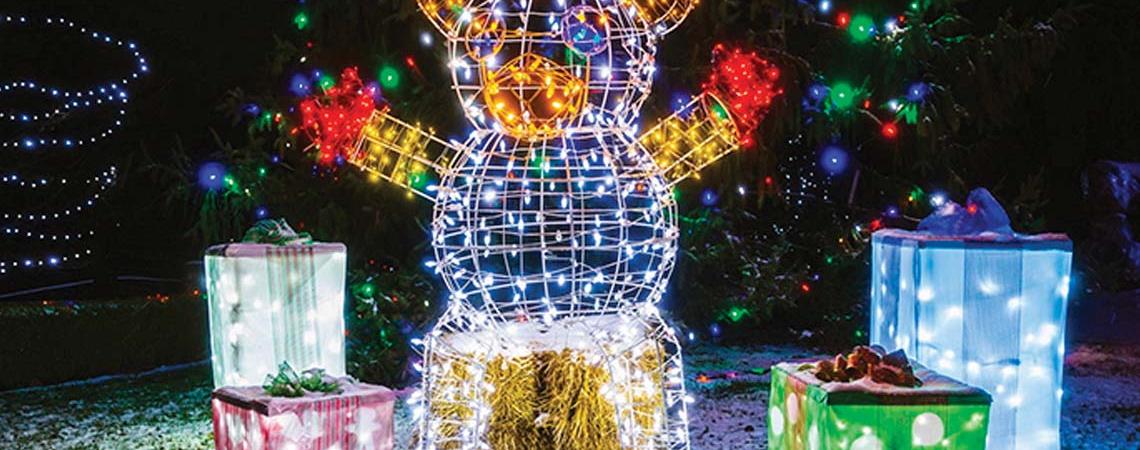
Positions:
(543, 69)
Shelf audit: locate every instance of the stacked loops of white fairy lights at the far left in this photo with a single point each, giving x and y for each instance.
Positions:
(108, 100)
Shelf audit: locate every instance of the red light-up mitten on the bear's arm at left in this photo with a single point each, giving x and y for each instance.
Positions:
(333, 120)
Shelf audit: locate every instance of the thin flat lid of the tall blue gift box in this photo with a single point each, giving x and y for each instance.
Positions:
(1049, 241)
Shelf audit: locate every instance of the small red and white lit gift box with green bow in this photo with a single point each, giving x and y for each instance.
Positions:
(359, 418)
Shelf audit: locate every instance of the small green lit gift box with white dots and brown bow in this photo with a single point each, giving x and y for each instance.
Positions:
(808, 414)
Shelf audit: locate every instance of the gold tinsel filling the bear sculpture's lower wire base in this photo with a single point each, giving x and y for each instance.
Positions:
(551, 400)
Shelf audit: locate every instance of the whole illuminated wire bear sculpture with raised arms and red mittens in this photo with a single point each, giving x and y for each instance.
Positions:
(555, 224)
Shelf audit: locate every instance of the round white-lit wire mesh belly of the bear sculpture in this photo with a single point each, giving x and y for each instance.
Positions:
(555, 230)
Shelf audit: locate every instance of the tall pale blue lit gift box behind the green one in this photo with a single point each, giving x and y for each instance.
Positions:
(988, 310)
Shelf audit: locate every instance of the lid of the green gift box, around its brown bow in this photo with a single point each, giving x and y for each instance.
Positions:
(937, 389)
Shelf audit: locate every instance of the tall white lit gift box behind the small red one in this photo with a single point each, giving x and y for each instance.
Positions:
(272, 305)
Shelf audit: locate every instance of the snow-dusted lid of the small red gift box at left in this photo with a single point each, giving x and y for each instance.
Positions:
(257, 399)
